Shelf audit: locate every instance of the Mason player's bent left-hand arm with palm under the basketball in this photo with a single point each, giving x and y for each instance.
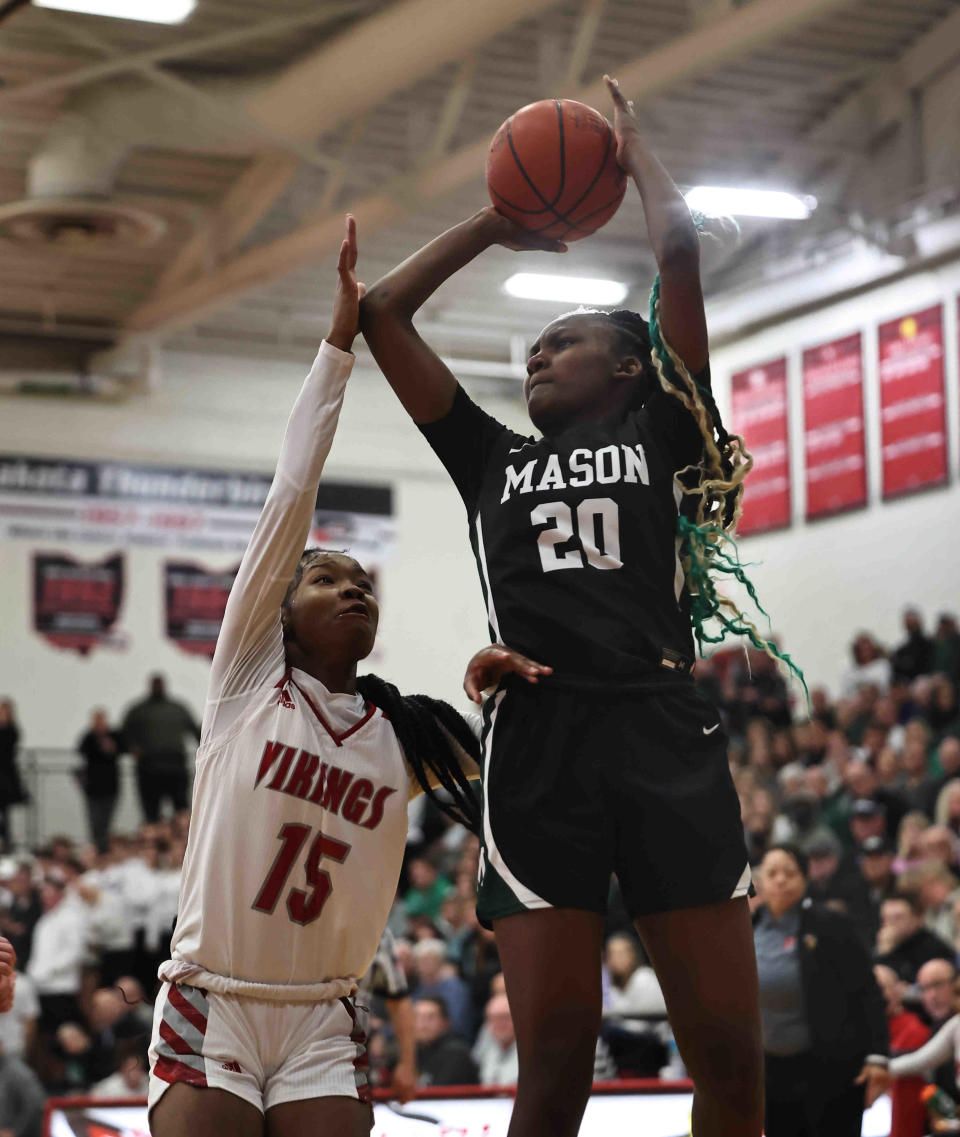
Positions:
(423, 381)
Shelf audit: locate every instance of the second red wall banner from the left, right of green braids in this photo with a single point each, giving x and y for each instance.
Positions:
(833, 412)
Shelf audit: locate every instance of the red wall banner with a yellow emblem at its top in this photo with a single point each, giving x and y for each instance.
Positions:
(913, 404)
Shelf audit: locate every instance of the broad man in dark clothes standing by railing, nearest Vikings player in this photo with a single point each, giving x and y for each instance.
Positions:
(155, 729)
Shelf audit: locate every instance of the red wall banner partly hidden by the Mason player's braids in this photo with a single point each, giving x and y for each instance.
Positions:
(759, 414)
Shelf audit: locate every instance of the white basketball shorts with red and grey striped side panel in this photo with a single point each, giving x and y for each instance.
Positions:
(266, 1053)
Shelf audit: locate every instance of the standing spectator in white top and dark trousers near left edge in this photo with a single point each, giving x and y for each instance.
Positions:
(60, 948)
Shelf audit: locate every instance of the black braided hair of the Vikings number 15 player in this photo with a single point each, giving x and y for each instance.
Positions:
(423, 726)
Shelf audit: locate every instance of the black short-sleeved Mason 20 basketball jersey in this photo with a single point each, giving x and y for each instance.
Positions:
(576, 536)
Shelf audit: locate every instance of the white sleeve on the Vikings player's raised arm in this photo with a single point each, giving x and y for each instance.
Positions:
(250, 651)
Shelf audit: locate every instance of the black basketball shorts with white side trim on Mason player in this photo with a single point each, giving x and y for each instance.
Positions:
(580, 785)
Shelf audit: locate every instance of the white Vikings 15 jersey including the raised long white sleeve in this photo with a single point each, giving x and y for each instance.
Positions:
(300, 801)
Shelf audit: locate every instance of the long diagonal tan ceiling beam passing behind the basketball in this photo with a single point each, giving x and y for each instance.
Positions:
(681, 60)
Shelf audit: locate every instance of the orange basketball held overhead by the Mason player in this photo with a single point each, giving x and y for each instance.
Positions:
(552, 169)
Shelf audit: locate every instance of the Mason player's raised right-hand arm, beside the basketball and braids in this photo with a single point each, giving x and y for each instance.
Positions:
(673, 237)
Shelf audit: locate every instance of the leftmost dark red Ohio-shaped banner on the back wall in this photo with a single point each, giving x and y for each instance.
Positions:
(76, 605)
